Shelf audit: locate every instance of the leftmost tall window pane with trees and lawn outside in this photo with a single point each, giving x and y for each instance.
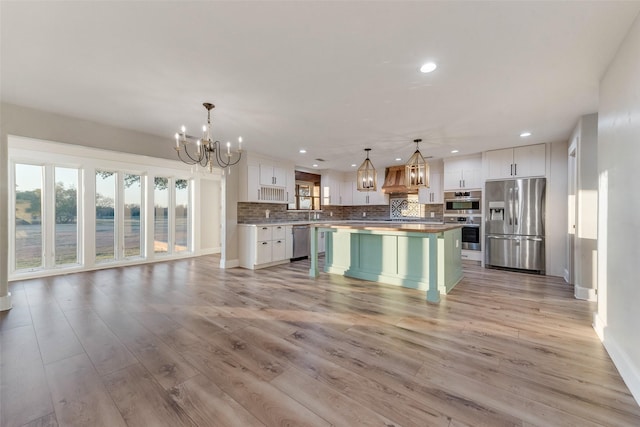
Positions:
(28, 217)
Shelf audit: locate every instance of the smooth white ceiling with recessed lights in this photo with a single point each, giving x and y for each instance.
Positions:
(332, 77)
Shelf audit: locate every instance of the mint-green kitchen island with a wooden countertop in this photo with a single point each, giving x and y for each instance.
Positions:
(413, 255)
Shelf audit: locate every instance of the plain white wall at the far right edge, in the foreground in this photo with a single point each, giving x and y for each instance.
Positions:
(618, 318)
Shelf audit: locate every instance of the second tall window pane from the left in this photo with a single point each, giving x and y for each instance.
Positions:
(66, 216)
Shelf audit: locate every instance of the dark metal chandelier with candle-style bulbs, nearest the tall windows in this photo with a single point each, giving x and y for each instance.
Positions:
(203, 151)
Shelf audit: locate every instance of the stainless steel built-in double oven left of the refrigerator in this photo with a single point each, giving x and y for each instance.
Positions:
(465, 208)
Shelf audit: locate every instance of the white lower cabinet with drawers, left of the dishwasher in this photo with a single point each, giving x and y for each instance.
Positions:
(262, 245)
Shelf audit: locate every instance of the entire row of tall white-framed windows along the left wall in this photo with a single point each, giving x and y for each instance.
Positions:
(55, 227)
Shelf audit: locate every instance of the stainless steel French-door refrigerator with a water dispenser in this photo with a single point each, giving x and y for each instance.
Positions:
(514, 224)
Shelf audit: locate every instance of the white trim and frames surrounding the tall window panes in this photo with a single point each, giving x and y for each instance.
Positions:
(87, 160)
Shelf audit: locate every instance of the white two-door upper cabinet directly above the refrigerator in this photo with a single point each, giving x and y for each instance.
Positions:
(517, 162)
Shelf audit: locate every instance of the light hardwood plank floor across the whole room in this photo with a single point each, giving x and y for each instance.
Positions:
(186, 343)
